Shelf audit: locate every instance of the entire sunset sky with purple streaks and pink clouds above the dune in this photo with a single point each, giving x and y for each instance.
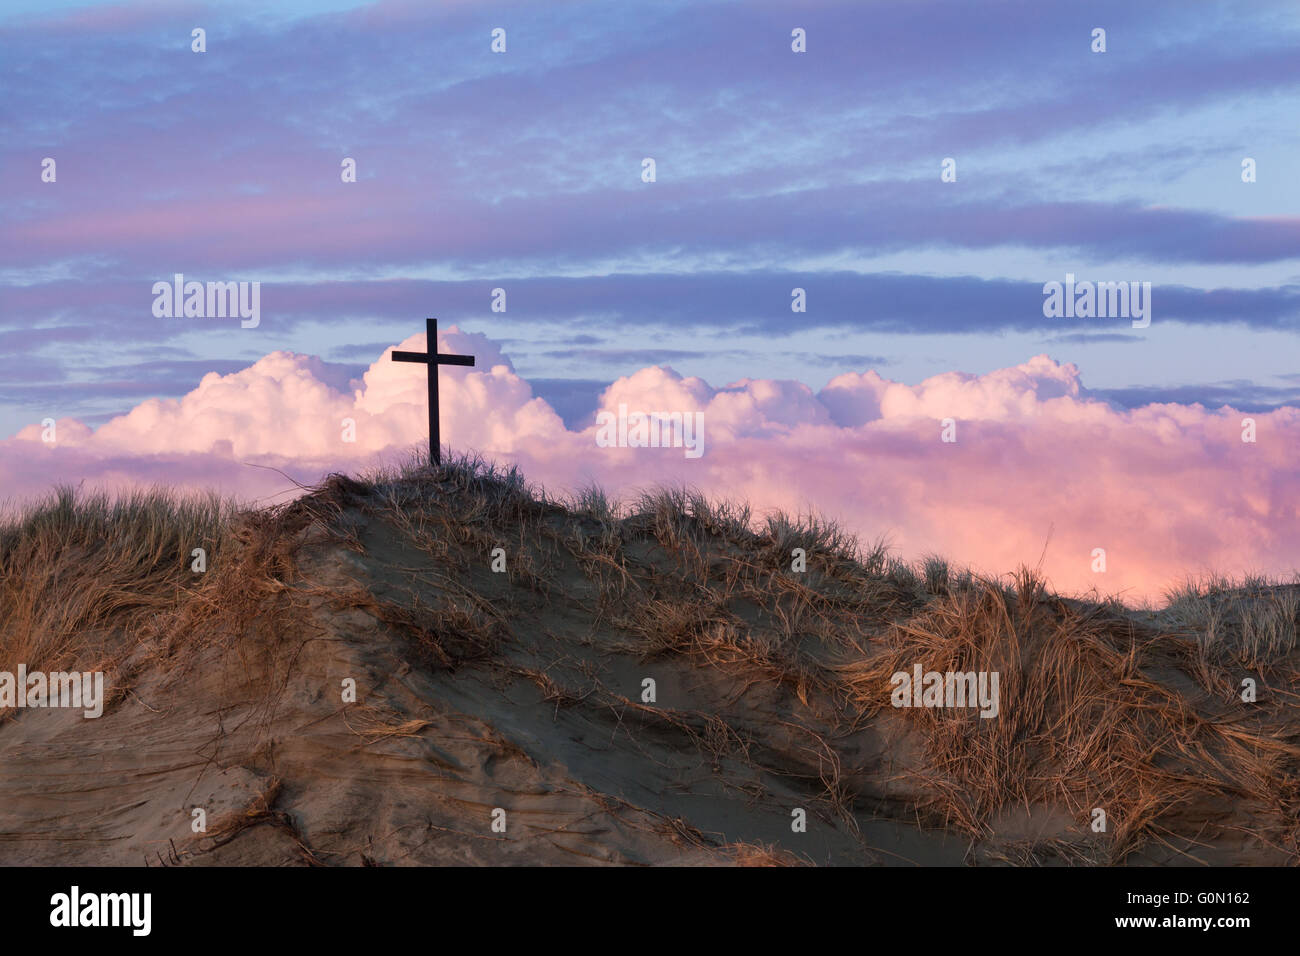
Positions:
(774, 170)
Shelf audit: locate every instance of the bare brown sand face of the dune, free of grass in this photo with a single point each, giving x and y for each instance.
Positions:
(522, 693)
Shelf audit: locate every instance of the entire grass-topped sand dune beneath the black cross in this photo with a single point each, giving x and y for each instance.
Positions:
(525, 691)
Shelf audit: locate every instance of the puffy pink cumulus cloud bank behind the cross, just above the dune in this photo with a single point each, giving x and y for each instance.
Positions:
(1038, 468)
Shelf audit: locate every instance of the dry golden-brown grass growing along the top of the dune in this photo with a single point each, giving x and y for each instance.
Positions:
(1085, 723)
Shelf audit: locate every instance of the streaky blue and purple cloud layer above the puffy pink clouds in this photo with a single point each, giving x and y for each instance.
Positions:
(775, 171)
